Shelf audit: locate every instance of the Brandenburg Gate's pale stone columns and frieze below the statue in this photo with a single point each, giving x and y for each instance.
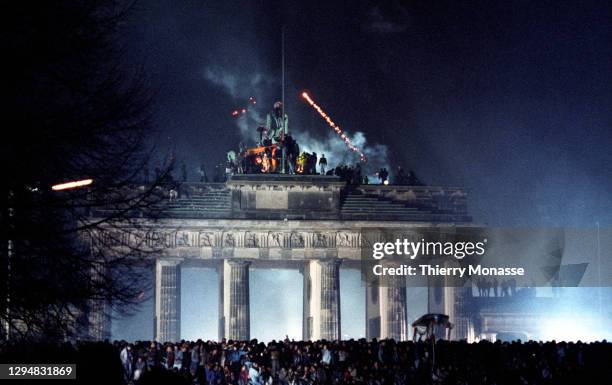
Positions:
(311, 223)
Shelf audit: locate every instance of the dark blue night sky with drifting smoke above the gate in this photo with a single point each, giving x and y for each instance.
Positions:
(510, 99)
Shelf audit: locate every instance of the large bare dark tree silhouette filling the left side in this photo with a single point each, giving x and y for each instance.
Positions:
(75, 111)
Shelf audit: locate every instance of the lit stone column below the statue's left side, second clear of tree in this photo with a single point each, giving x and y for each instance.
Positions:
(235, 319)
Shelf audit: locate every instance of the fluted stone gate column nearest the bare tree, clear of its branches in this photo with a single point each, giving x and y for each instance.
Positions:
(167, 300)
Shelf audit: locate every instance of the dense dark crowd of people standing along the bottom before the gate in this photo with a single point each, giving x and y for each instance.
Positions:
(384, 362)
